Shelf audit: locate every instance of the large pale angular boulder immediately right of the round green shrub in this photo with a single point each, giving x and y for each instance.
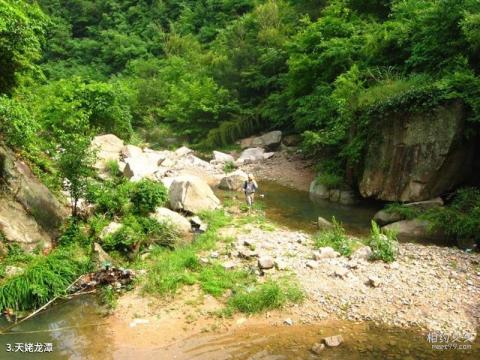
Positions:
(192, 194)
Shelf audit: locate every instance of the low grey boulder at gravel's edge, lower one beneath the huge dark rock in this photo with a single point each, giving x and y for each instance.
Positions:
(415, 230)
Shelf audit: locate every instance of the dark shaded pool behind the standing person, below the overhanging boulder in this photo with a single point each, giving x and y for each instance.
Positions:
(294, 209)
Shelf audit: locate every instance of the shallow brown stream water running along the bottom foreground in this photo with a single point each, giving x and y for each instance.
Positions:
(76, 330)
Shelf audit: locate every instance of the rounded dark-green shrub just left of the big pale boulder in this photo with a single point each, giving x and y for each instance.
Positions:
(147, 195)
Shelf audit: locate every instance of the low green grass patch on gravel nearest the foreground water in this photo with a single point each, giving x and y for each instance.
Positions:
(268, 296)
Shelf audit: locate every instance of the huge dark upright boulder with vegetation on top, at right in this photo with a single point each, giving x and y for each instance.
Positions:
(418, 156)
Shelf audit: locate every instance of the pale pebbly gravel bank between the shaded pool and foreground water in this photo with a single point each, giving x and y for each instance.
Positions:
(434, 288)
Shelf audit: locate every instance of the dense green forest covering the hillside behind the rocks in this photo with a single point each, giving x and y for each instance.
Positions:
(213, 71)
